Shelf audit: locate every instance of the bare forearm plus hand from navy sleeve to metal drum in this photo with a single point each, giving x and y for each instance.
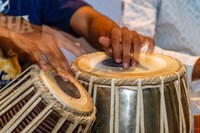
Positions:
(105, 34)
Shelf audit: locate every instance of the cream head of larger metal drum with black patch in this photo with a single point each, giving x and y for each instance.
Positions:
(100, 65)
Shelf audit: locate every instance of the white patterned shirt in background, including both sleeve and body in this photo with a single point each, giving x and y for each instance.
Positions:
(176, 23)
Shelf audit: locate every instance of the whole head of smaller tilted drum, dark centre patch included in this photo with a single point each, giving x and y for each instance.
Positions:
(72, 96)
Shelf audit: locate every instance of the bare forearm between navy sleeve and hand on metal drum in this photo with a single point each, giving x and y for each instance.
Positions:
(91, 25)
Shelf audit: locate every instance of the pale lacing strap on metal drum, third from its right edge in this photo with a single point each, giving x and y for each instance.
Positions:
(163, 113)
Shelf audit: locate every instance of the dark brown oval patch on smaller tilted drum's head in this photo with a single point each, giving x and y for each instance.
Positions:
(69, 88)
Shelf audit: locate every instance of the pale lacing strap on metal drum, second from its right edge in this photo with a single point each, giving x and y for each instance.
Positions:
(181, 115)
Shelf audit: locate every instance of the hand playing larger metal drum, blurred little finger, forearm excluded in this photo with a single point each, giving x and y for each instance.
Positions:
(125, 46)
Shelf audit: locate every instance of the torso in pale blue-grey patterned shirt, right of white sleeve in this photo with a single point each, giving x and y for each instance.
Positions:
(178, 26)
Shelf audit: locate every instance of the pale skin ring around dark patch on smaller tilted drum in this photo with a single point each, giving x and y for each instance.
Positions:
(68, 103)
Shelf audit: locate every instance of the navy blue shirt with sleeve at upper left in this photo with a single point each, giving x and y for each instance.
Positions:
(55, 13)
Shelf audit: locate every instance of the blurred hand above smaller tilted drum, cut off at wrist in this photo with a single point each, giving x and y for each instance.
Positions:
(44, 47)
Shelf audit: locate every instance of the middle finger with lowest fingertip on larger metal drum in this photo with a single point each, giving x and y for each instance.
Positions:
(126, 46)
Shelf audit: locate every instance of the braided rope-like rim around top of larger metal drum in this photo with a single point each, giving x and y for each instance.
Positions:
(84, 75)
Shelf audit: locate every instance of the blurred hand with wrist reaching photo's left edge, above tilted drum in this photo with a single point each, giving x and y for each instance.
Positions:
(41, 44)
